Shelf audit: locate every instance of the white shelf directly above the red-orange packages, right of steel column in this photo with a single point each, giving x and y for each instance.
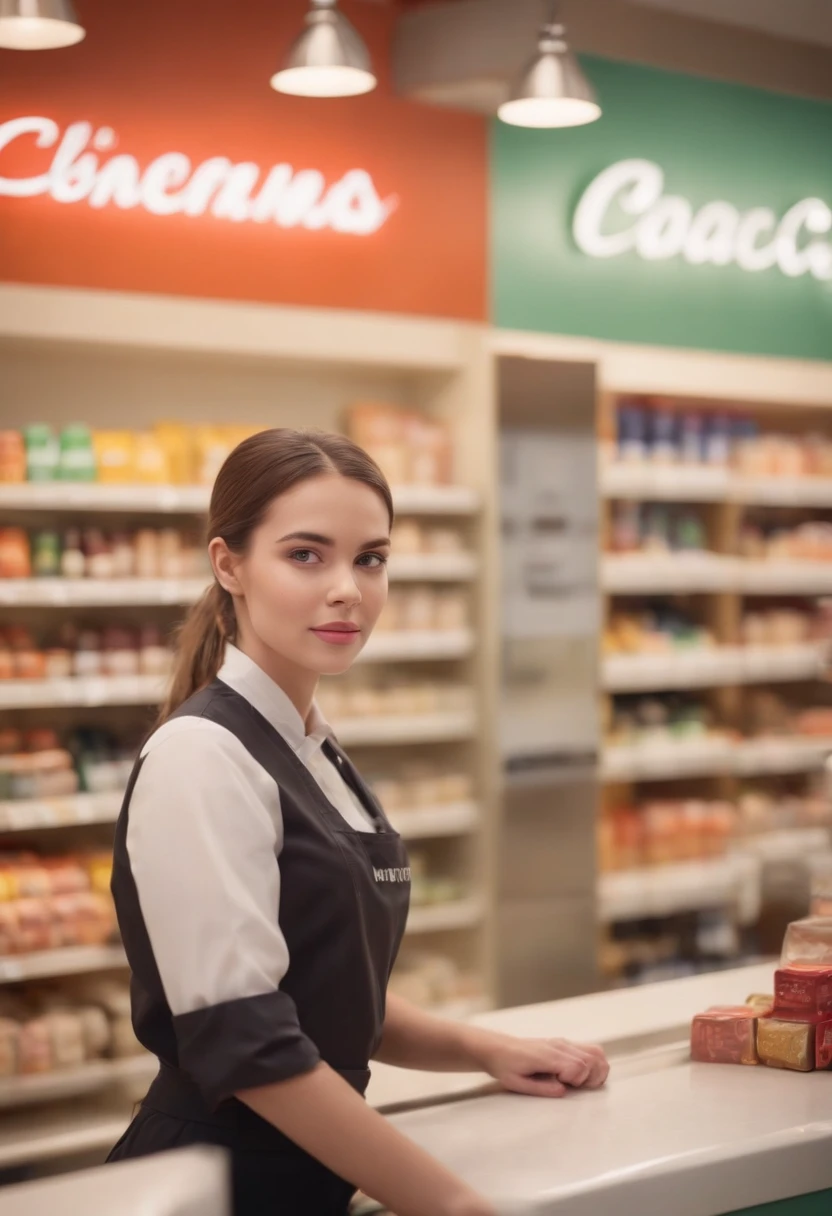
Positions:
(713, 757)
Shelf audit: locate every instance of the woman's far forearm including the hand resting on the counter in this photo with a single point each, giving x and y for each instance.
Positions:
(542, 1067)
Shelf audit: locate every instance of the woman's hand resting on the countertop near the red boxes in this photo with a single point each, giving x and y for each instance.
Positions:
(544, 1068)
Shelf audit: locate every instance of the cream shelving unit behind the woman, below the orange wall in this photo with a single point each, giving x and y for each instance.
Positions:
(121, 361)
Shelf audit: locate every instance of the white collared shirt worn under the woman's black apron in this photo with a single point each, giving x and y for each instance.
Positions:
(204, 840)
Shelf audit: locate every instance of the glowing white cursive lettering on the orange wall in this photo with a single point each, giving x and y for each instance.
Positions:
(172, 185)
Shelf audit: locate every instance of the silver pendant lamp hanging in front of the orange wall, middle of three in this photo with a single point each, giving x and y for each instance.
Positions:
(329, 59)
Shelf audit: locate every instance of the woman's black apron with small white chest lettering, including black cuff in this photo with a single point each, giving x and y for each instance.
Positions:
(345, 898)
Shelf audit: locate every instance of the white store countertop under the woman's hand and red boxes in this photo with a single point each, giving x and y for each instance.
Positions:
(666, 1138)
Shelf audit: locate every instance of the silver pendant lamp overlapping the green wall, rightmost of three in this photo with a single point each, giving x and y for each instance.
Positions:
(552, 89)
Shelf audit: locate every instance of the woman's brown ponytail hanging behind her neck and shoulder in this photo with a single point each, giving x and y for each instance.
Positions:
(200, 648)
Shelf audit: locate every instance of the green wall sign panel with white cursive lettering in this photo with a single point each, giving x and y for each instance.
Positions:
(694, 213)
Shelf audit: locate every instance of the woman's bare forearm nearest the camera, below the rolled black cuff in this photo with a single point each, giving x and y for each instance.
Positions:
(322, 1113)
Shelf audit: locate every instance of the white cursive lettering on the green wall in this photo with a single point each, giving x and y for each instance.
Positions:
(667, 227)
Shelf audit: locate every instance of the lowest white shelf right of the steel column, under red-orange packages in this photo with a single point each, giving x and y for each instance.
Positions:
(665, 891)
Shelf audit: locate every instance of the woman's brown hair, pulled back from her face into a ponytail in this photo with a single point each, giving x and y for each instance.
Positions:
(257, 472)
